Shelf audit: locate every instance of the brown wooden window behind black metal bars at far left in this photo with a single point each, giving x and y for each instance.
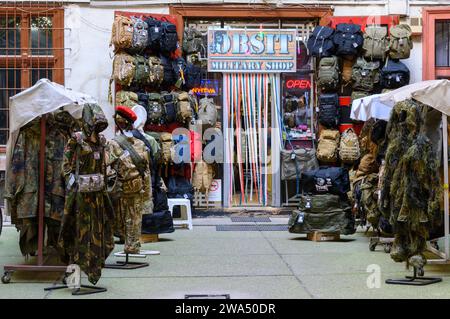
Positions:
(31, 48)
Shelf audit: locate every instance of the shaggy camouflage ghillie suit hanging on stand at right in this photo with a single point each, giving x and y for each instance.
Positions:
(410, 192)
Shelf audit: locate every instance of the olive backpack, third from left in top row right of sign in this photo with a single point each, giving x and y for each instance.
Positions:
(376, 43)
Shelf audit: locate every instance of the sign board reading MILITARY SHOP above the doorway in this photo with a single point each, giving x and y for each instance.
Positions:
(252, 50)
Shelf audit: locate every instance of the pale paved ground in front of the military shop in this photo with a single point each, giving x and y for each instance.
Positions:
(252, 264)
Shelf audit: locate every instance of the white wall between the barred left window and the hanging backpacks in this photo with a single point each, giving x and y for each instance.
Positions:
(88, 60)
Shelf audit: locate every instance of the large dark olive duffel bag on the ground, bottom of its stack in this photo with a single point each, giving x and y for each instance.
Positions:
(325, 213)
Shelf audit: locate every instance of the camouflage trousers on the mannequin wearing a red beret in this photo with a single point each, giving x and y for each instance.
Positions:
(128, 221)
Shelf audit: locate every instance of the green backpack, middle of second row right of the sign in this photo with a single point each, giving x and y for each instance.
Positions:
(365, 75)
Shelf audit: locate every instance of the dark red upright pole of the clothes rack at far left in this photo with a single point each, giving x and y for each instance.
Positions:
(41, 178)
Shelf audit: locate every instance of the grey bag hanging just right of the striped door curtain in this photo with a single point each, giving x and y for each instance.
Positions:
(294, 162)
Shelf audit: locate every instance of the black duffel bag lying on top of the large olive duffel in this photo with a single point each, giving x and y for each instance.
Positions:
(333, 180)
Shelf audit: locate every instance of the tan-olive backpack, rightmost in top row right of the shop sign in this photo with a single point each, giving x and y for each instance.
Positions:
(400, 44)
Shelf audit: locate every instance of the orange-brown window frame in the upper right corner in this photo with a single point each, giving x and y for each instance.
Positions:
(429, 17)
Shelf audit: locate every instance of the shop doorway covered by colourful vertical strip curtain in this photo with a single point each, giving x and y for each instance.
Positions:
(252, 139)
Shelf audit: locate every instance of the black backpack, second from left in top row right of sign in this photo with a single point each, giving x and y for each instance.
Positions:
(348, 39)
